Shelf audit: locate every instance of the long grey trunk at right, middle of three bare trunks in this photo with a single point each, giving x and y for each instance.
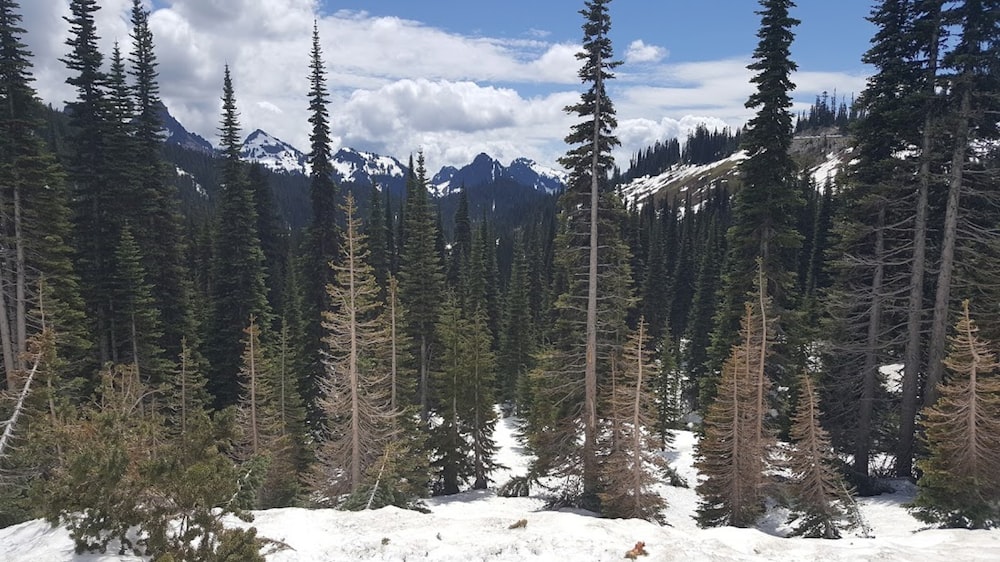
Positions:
(911, 355)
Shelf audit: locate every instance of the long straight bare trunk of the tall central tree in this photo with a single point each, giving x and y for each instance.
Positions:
(590, 475)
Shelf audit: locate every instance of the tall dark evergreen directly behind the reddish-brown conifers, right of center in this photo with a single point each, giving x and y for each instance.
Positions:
(766, 208)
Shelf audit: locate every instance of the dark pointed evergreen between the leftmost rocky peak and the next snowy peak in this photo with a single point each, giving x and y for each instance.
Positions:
(238, 285)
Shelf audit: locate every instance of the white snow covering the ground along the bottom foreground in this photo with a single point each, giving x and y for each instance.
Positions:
(476, 526)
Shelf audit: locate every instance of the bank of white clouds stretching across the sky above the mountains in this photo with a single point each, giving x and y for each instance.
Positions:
(397, 85)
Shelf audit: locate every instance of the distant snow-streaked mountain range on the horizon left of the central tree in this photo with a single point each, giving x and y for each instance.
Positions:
(367, 168)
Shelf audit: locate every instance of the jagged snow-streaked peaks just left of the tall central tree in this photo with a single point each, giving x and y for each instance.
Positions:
(485, 170)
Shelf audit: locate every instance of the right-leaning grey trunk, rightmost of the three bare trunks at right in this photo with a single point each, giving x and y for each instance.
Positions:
(939, 324)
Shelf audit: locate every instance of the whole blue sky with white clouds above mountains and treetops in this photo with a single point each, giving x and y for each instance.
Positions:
(455, 78)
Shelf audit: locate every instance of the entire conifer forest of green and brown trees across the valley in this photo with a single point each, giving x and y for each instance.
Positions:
(188, 358)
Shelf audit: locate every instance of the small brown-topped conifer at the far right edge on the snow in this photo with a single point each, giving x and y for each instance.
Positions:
(959, 486)
